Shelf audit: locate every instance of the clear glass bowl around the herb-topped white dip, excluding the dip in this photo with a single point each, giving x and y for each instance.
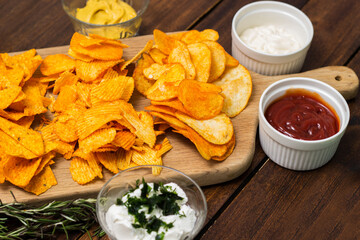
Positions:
(126, 180)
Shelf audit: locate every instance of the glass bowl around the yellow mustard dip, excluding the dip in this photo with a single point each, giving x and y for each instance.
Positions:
(120, 30)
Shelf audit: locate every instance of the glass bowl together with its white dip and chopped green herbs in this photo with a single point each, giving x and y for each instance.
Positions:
(135, 204)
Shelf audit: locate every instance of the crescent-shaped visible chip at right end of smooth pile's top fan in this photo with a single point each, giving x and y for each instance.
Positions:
(218, 60)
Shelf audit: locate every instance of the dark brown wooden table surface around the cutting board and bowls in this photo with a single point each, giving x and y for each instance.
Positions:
(267, 201)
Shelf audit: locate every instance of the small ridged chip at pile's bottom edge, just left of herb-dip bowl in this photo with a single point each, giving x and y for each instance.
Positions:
(81, 171)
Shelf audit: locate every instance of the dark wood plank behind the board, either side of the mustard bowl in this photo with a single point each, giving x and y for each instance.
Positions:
(40, 24)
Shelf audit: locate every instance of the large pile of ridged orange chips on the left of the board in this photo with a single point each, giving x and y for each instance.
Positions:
(92, 124)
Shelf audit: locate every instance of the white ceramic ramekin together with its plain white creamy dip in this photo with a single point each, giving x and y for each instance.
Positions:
(271, 38)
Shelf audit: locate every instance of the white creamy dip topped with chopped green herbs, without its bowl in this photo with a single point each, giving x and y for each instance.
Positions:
(160, 213)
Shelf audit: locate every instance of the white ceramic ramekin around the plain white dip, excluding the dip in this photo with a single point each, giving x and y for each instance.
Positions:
(275, 13)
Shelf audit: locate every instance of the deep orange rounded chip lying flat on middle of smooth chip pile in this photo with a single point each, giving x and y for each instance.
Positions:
(209, 102)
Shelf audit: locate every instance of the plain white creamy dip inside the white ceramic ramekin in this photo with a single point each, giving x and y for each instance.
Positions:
(271, 39)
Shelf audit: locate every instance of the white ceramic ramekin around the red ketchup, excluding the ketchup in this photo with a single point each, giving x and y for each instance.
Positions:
(294, 153)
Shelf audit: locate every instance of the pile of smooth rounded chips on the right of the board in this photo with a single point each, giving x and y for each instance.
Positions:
(195, 87)
